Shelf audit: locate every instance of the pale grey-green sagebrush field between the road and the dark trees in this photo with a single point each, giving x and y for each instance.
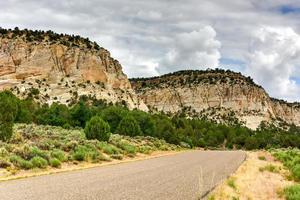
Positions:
(48, 146)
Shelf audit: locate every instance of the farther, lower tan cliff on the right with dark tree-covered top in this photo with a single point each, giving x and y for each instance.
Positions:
(216, 94)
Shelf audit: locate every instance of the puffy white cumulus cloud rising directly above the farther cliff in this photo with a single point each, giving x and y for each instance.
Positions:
(198, 49)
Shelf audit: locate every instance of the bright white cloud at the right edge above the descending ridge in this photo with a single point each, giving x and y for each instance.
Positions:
(274, 54)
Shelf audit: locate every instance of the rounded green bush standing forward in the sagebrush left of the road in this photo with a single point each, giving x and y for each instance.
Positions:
(98, 129)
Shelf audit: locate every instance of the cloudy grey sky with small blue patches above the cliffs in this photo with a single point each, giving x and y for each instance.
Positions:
(259, 38)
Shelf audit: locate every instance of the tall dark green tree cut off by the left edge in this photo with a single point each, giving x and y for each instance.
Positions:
(8, 112)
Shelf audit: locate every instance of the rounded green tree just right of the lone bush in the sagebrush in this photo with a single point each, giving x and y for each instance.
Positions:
(129, 126)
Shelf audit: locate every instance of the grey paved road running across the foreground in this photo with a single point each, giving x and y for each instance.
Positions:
(183, 176)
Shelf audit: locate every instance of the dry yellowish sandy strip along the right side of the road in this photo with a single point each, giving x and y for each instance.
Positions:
(250, 182)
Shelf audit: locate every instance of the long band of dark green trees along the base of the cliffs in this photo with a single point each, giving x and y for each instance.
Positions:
(174, 129)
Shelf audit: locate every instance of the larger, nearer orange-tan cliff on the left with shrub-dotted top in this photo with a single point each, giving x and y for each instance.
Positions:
(62, 68)
